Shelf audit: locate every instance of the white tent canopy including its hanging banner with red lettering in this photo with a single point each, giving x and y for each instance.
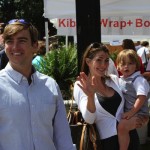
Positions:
(115, 17)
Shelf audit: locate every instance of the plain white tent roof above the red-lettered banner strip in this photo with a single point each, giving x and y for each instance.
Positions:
(109, 8)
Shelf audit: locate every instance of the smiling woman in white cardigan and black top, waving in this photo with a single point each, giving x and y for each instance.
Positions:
(99, 97)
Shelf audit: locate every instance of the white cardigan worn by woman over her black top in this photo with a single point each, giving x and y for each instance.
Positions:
(106, 123)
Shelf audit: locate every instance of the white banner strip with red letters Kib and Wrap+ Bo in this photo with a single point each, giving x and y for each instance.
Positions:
(132, 25)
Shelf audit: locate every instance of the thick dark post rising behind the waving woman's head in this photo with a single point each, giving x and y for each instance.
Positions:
(88, 25)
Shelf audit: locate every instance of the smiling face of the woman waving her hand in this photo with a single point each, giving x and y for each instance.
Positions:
(99, 64)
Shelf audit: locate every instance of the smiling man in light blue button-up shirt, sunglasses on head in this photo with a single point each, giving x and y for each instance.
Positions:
(32, 112)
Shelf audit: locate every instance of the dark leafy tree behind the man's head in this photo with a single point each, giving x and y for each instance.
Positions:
(27, 9)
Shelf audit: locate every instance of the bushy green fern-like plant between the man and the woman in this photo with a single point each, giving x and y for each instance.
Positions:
(61, 64)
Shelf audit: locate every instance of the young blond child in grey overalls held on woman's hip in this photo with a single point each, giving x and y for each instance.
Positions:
(135, 89)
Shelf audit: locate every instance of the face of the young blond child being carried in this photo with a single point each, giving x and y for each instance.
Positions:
(127, 68)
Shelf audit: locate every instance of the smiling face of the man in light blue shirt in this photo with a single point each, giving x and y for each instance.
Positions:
(20, 49)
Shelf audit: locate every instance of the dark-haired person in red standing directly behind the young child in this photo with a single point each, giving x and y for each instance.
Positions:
(129, 44)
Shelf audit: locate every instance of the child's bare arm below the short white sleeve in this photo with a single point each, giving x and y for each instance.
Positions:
(138, 104)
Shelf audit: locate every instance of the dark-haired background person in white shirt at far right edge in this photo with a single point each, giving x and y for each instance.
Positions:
(144, 53)
